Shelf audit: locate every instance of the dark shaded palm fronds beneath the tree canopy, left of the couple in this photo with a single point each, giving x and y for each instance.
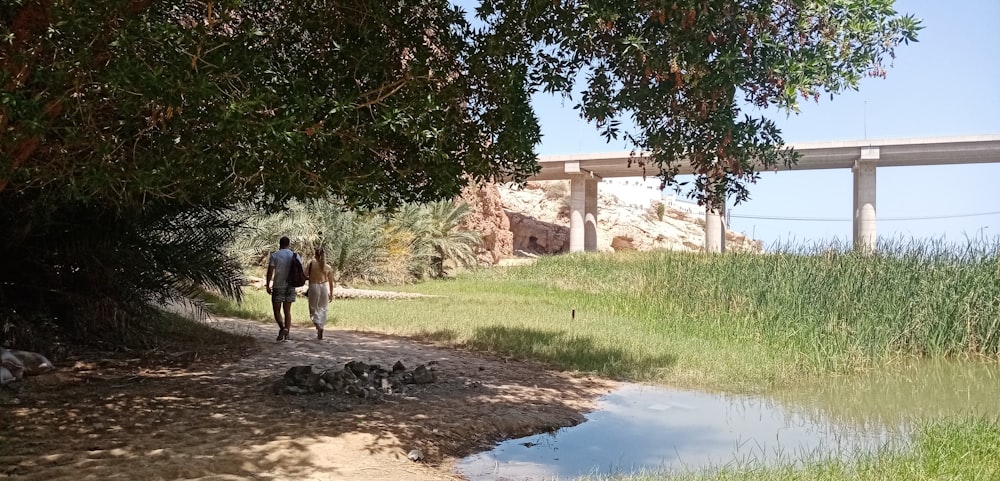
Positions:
(101, 275)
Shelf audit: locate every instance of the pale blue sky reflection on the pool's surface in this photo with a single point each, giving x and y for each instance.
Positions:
(641, 427)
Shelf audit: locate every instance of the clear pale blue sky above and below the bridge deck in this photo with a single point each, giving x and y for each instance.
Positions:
(944, 85)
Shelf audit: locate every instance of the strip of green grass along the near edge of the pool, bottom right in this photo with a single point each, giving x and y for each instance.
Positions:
(960, 449)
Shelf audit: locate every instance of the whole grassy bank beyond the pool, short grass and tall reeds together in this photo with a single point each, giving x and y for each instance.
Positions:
(735, 322)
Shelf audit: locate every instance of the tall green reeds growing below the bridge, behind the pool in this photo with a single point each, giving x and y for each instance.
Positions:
(835, 306)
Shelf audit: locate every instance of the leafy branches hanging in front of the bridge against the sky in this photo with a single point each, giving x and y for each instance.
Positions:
(681, 71)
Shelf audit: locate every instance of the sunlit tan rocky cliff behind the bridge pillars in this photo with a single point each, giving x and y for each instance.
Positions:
(535, 220)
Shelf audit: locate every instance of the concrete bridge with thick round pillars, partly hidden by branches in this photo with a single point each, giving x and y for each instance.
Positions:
(862, 156)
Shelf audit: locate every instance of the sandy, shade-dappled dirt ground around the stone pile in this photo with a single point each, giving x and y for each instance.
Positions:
(217, 419)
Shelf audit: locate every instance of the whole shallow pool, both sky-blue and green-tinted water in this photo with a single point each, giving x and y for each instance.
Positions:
(652, 428)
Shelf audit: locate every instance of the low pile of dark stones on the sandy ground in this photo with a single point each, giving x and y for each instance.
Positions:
(356, 379)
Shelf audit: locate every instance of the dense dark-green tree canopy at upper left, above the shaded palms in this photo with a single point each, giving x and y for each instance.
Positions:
(125, 102)
